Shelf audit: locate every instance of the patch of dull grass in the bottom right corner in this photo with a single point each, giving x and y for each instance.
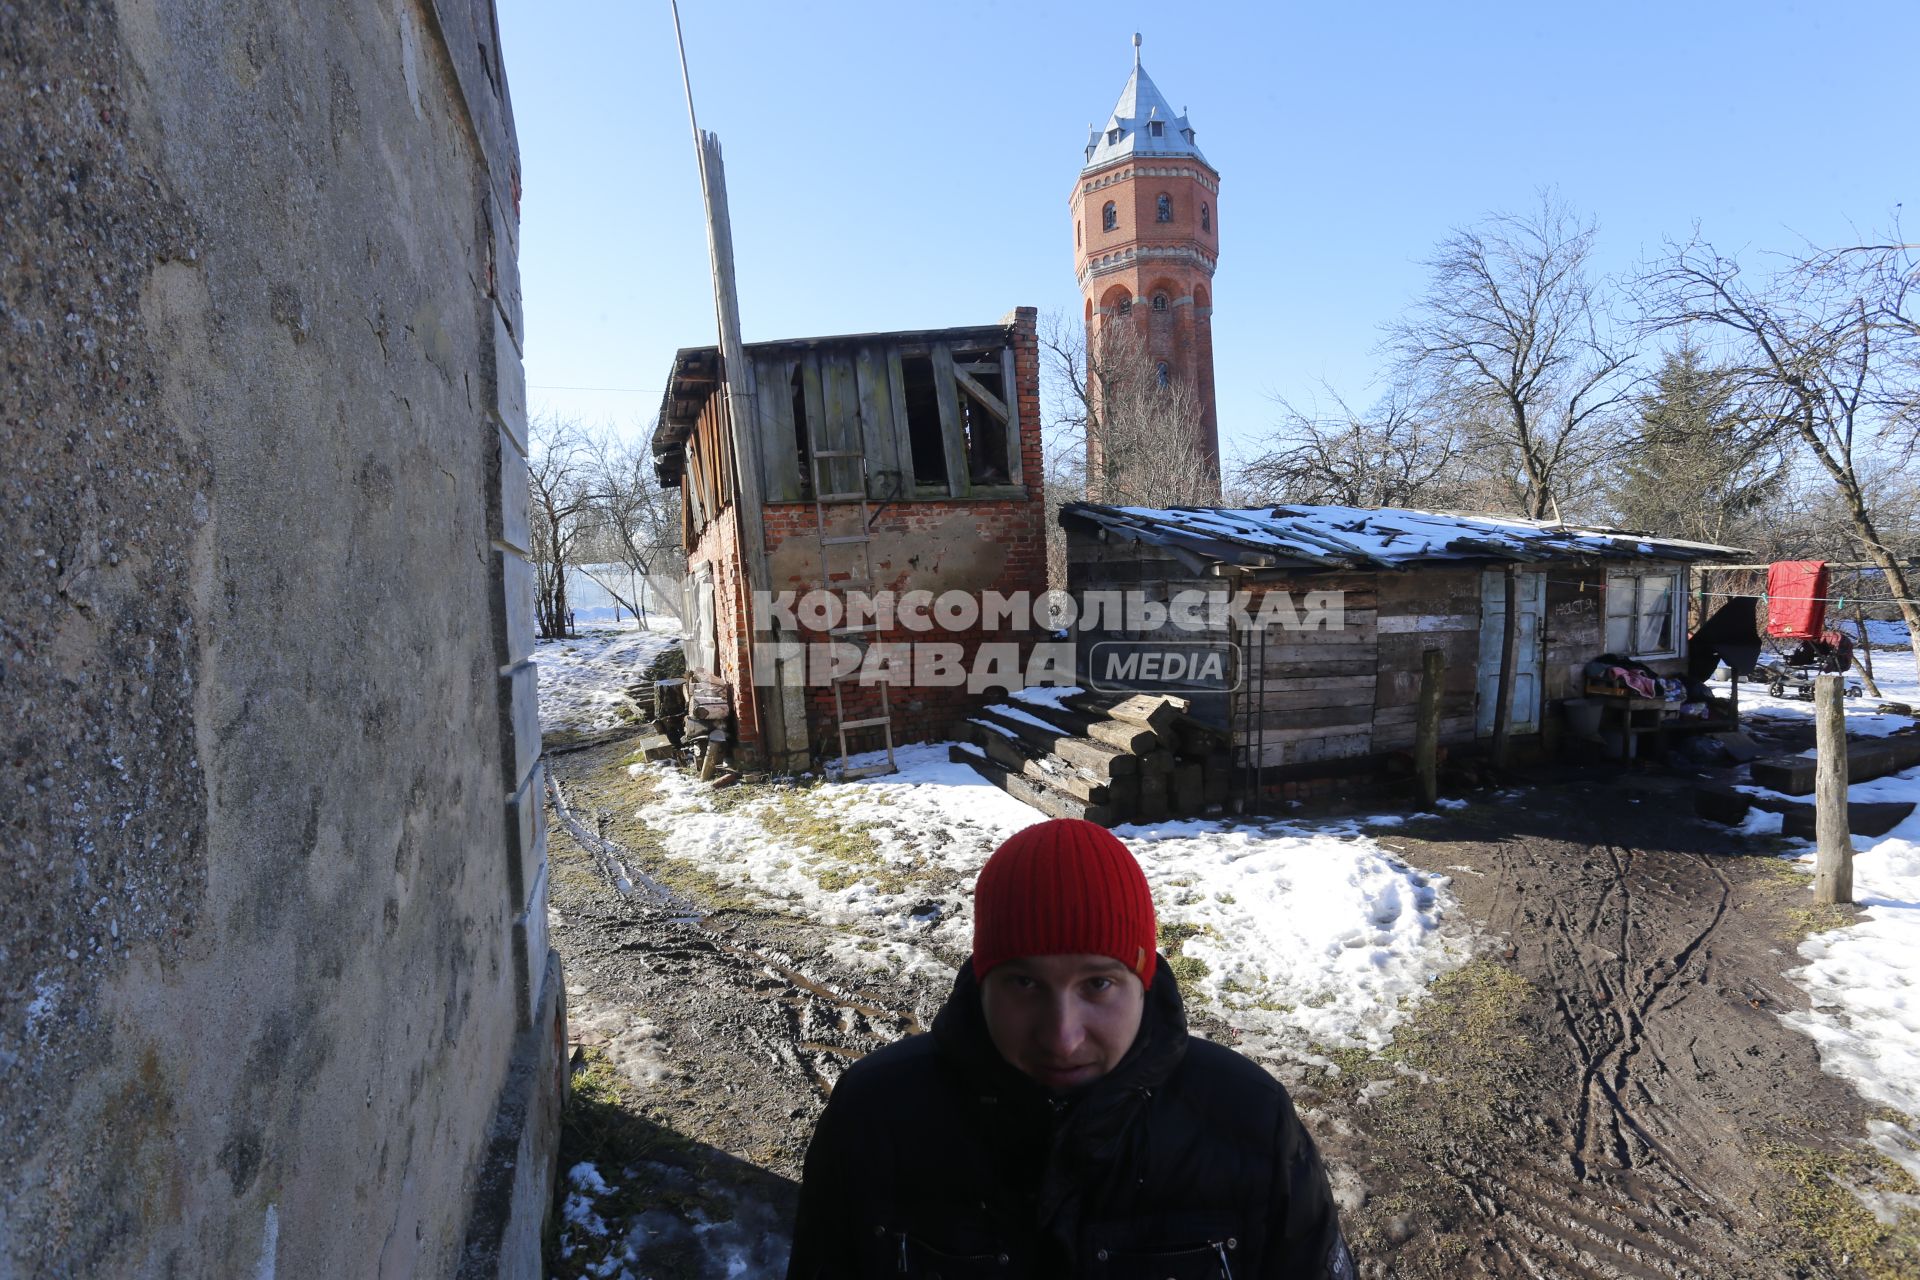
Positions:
(1823, 1206)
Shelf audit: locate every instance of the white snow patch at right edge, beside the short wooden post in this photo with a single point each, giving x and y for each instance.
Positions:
(1861, 980)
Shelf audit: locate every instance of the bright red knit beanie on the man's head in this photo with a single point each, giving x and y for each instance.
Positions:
(1063, 888)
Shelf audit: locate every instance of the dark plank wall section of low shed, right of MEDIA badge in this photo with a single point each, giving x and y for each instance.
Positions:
(1312, 694)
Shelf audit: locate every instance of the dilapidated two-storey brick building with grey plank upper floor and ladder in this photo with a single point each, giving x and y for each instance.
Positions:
(890, 465)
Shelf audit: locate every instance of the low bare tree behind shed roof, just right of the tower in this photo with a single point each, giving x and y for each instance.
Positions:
(1399, 454)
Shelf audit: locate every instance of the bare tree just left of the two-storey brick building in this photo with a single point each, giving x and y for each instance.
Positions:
(636, 525)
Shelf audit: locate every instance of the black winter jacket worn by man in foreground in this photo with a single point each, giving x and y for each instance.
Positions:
(940, 1160)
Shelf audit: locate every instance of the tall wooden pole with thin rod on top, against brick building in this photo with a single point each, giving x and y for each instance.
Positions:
(761, 688)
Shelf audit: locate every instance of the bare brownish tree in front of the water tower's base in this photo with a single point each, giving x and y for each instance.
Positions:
(1140, 429)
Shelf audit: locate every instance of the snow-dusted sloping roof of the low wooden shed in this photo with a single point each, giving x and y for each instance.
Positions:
(1372, 536)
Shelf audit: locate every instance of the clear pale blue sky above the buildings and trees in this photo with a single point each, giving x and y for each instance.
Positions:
(903, 166)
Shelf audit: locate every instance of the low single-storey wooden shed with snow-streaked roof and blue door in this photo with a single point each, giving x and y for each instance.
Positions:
(1326, 676)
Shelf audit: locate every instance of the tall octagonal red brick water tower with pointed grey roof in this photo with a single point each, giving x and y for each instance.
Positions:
(1145, 245)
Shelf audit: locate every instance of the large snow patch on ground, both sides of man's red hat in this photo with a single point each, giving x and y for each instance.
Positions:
(1299, 936)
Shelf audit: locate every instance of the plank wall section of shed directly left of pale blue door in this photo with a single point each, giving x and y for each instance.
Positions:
(1426, 609)
